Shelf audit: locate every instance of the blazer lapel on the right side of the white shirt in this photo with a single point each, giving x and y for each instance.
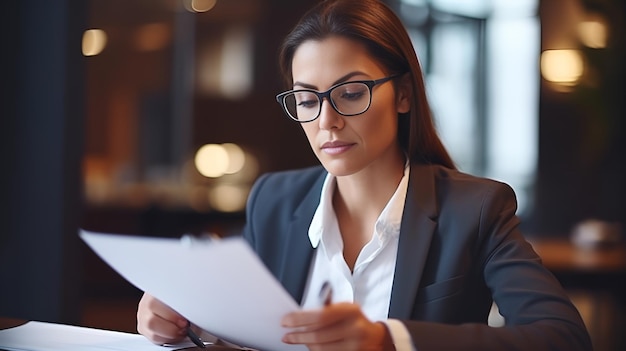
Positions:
(418, 225)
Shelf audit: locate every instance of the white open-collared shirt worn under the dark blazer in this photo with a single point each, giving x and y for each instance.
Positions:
(369, 285)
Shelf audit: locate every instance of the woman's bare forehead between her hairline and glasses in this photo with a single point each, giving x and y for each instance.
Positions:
(322, 62)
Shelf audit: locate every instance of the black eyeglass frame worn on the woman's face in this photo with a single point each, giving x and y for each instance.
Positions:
(370, 83)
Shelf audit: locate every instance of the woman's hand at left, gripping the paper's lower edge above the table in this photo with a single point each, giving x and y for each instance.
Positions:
(158, 322)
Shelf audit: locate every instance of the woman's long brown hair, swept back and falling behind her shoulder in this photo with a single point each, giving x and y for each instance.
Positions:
(374, 24)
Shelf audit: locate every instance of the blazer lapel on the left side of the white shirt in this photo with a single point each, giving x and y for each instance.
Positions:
(298, 249)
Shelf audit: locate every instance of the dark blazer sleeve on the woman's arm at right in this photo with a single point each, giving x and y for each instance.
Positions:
(538, 314)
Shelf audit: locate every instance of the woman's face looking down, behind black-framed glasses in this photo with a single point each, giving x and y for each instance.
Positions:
(347, 145)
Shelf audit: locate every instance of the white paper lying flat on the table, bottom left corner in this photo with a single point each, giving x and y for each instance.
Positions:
(41, 336)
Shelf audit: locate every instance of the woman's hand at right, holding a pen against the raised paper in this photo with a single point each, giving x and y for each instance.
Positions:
(340, 326)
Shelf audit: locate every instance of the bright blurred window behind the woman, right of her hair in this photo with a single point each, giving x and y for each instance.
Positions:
(480, 64)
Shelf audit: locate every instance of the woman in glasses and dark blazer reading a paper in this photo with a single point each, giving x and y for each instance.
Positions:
(416, 252)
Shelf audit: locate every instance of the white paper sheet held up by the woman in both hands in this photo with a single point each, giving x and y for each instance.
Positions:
(221, 286)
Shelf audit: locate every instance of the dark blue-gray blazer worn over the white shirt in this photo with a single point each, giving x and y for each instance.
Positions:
(460, 249)
